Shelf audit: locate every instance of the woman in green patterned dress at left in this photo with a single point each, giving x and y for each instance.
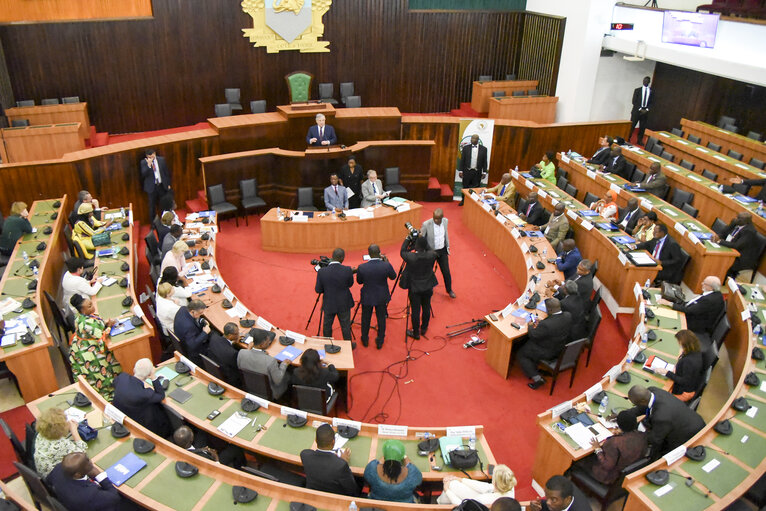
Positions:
(88, 354)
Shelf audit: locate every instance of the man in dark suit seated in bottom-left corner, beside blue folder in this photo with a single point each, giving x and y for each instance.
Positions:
(78, 484)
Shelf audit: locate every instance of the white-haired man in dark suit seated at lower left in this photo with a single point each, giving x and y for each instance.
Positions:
(140, 400)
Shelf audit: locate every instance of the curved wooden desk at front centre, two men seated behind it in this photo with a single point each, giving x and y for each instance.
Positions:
(322, 235)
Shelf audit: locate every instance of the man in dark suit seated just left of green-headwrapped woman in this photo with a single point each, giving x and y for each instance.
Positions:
(327, 469)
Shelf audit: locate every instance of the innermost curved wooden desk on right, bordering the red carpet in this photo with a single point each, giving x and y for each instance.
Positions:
(502, 239)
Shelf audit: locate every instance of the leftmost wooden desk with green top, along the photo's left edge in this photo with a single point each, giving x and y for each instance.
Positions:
(31, 364)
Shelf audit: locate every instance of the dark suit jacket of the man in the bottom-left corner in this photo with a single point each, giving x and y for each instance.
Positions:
(77, 494)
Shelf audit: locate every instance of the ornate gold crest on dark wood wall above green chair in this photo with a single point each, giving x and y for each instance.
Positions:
(287, 24)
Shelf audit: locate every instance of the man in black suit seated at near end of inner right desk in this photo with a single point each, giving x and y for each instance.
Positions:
(546, 340)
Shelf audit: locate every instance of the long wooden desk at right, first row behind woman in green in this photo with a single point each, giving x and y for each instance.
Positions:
(706, 258)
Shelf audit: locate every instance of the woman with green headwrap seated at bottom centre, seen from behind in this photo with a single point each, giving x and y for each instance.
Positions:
(394, 478)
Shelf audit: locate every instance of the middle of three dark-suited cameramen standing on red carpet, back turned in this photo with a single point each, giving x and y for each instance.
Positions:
(374, 276)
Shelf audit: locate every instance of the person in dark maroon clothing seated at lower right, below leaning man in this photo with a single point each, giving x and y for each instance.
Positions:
(617, 452)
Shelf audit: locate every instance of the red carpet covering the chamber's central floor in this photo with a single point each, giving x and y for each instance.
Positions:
(443, 384)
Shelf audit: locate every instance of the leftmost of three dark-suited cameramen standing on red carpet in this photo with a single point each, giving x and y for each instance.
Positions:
(334, 281)
